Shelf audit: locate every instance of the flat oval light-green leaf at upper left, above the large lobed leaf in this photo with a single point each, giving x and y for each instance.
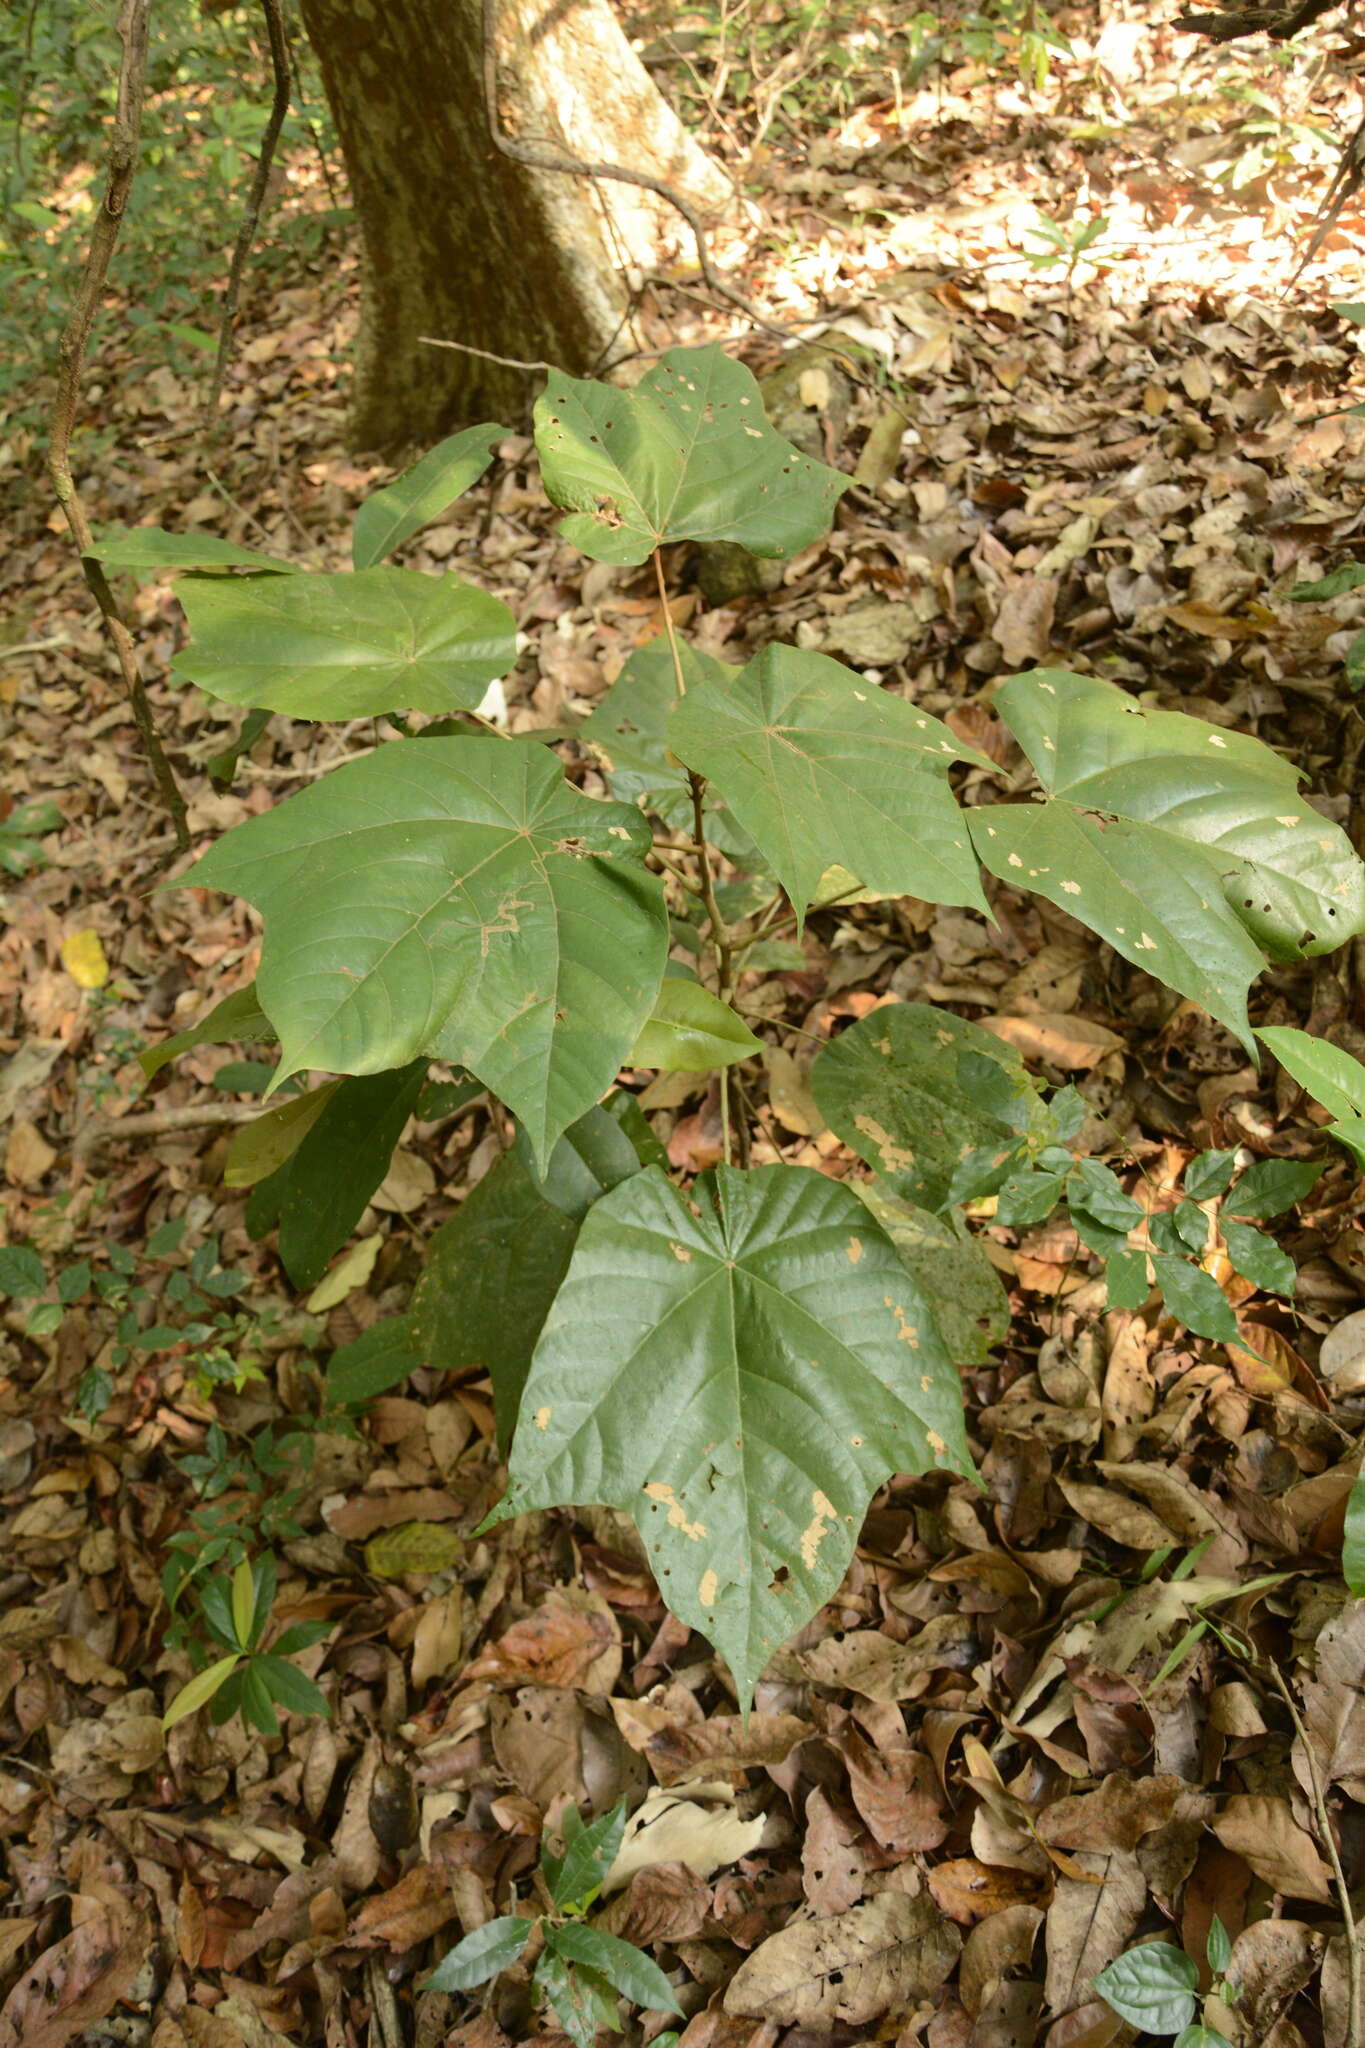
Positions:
(345, 646)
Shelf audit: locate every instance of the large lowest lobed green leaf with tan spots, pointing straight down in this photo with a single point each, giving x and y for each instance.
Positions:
(738, 1371)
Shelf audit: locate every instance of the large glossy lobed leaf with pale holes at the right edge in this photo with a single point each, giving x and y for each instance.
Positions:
(1188, 849)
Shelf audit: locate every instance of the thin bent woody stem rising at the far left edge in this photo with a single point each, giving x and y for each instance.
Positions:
(73, 355)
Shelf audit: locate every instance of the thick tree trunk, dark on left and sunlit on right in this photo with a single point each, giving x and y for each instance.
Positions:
(470, 245)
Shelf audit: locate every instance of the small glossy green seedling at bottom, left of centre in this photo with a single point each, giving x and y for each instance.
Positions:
(580, 1971)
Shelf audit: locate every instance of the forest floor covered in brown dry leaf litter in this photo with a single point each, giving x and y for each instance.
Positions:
(1125, 476)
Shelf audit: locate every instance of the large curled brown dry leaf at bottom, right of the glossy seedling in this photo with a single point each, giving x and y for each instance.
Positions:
(877, 1959)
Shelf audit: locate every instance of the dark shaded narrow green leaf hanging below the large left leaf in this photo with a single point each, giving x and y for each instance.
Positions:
(322, 1189)
